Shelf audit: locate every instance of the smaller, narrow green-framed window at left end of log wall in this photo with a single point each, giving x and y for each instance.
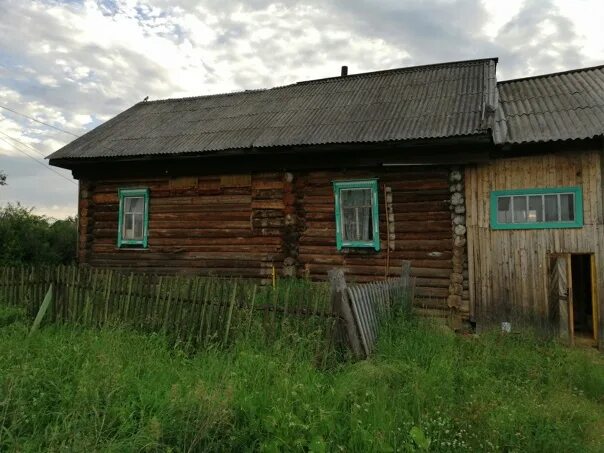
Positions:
(133, 218)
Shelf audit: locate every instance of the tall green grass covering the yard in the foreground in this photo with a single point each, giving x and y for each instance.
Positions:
(75, 389)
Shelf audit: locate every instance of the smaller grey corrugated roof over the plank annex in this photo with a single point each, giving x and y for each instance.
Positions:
(563, 106)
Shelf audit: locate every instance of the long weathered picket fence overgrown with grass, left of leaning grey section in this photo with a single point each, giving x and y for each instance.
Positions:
(199, 310)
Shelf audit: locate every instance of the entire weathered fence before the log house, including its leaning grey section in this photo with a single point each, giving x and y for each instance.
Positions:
(208, 310)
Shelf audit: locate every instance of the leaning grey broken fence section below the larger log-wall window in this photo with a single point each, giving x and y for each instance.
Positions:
(364, 307)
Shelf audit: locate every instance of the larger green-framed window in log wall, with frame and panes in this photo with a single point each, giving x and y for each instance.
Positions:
(357, 221)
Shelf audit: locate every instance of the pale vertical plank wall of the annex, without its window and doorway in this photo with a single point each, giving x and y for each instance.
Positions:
(509, 268)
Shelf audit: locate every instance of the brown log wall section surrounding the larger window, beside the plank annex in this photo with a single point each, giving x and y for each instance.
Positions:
(418, 229)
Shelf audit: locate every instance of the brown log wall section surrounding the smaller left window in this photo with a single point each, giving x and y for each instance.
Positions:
(223, 225)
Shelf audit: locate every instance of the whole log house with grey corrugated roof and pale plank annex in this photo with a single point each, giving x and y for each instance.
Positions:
(492, 190)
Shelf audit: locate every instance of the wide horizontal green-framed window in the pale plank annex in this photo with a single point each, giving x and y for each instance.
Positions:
(533, 209)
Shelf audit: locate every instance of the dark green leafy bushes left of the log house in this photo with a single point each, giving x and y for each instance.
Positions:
(28, 238)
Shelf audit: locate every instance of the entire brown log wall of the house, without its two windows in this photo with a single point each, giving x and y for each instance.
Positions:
(237, 225)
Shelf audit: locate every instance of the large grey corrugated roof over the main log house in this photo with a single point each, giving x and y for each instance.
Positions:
(443, 100)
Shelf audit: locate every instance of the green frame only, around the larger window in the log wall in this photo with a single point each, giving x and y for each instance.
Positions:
(341, 241)
